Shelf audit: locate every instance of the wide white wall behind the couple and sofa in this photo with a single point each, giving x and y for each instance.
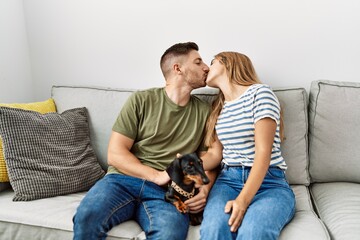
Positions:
(115, 43)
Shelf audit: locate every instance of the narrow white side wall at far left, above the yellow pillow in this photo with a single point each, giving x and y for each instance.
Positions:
(15, 70)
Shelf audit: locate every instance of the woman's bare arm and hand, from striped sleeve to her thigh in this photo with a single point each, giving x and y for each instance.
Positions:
(264, 137)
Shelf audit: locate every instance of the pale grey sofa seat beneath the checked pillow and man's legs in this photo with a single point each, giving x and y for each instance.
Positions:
(49, 218)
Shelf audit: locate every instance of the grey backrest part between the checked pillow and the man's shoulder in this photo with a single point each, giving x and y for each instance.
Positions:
(103, 107)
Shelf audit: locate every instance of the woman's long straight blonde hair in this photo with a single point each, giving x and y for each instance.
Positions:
(240, 70)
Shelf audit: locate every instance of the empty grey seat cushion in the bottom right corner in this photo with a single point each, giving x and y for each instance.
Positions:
(338, 206)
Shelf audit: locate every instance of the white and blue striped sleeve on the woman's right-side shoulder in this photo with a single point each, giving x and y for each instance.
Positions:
(266, 105)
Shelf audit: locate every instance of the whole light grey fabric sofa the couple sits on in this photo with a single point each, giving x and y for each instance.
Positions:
(321, 148)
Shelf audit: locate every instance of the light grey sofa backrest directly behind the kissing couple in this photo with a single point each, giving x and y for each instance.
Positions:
(104, 104)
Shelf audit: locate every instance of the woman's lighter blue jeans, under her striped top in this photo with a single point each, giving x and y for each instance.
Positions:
(271, 209)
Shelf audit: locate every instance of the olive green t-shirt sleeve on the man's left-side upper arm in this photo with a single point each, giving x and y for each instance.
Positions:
(128, 118)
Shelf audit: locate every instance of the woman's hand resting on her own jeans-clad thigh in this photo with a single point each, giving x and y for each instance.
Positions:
(237, 208)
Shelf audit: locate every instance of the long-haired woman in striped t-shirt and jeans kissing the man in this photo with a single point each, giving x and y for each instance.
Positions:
(251, 198)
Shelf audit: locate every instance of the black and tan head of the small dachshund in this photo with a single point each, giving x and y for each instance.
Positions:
(189, 167)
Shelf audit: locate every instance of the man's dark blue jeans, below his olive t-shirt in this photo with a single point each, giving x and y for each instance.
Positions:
(117, 198)
